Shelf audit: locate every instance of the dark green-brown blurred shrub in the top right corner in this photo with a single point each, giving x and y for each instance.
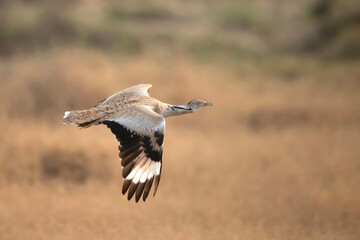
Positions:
(337, 26)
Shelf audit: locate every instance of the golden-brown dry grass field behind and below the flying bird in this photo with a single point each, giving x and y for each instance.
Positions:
(277, 157)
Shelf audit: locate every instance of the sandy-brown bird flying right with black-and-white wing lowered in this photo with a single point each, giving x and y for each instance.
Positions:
(138, 123)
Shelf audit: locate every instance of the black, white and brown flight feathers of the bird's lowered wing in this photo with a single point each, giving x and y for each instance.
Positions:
(141, 159)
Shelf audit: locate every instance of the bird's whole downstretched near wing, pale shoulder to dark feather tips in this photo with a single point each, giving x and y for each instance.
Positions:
(140, 133)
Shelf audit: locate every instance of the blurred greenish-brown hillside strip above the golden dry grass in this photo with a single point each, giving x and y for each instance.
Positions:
(202, 29)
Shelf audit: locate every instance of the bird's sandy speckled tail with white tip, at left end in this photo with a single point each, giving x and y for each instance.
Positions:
(84, 118)
